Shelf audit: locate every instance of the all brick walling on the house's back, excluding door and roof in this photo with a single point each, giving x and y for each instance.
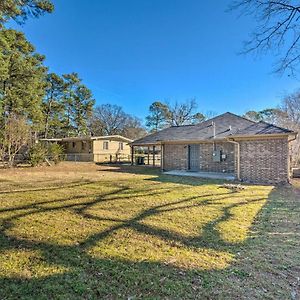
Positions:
(261, 161)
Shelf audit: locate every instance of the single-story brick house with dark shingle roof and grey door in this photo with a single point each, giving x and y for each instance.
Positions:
(250, 151)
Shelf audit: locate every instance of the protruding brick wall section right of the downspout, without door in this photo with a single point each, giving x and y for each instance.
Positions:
(264, 161)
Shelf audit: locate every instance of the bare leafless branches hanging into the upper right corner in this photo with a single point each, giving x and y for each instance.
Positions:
(278, 30)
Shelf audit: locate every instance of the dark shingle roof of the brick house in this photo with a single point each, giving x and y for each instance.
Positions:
(225, 125)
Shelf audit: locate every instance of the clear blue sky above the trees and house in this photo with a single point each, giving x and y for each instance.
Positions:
(133, 52)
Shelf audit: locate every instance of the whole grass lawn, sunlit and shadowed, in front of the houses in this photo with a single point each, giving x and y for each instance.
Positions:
(81, 231)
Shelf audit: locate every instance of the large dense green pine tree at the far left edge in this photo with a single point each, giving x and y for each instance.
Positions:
(22, 78)
